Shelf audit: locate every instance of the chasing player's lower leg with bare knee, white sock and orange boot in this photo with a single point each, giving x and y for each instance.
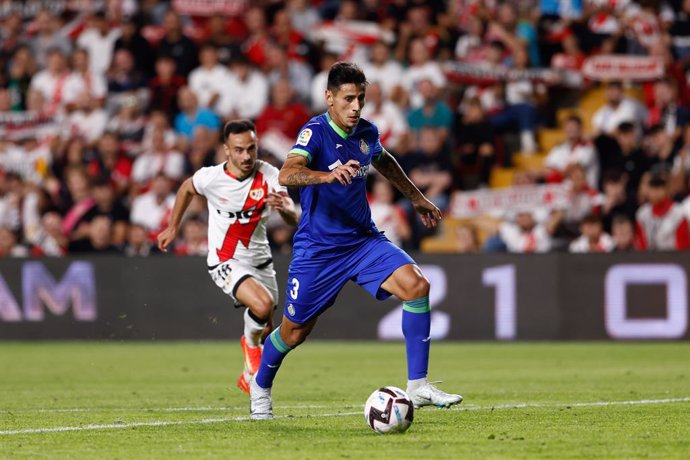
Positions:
(257, 318)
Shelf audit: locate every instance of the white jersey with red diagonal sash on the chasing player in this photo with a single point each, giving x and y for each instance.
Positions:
(237, 212)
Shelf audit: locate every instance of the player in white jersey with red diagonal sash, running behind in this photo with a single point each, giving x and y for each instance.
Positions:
(240, 193)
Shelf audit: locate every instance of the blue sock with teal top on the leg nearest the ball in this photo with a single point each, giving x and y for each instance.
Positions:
(417, 329)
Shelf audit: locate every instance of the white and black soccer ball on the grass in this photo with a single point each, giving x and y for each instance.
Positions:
(389, 410)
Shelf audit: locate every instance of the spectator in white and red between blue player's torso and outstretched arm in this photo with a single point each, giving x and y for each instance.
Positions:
(388, 217)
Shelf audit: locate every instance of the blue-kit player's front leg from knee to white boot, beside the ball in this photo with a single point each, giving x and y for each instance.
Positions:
(408, 283)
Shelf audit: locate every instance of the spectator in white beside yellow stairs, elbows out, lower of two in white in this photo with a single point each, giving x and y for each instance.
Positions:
(574, 150)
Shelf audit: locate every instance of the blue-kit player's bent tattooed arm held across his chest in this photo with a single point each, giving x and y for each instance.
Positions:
(296, 173)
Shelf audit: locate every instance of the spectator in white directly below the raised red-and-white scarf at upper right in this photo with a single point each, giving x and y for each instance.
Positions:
(618, 109)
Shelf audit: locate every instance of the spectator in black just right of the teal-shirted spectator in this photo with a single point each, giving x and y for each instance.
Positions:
(475, 151)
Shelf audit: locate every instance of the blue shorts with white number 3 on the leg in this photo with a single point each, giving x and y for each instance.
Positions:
(316, 276)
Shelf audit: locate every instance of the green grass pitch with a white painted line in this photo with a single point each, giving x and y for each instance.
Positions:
(178, 400)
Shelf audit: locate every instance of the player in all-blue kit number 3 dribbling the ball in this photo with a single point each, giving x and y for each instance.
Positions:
(337, 241)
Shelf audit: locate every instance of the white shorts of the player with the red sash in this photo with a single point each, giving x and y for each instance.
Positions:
(229, 275)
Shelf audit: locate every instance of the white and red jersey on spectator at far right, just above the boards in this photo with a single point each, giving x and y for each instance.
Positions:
(662, 227)
